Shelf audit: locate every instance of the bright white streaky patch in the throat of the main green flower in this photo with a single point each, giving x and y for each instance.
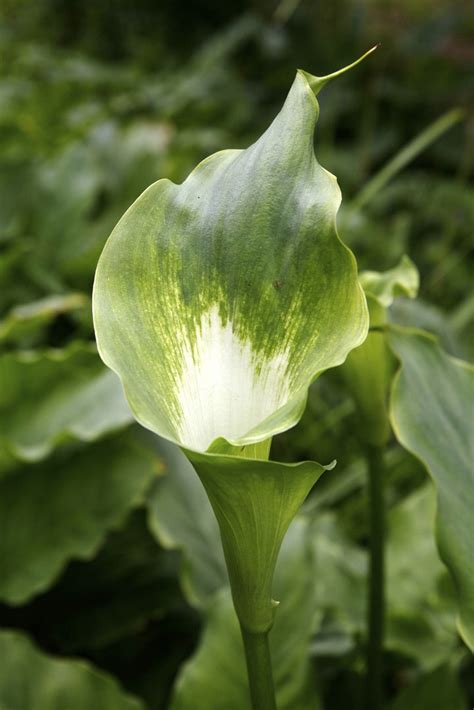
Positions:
(220, 391)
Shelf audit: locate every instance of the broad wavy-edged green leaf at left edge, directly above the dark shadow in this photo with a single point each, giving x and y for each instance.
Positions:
(63, 508)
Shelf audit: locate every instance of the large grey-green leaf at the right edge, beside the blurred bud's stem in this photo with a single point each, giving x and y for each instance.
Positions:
(431, 413)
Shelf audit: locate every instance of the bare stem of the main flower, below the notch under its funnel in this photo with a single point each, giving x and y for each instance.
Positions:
(259, 669)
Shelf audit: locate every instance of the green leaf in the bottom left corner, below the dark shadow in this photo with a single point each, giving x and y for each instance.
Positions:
(32, 680)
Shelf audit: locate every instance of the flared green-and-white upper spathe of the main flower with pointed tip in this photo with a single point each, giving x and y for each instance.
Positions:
(218, 301)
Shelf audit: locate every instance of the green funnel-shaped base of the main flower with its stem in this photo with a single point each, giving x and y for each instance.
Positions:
(254, 501)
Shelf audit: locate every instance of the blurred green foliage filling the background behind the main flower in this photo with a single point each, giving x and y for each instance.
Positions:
(112, 581)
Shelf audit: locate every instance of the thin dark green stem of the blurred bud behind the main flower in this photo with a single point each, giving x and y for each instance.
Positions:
(376, 605)
